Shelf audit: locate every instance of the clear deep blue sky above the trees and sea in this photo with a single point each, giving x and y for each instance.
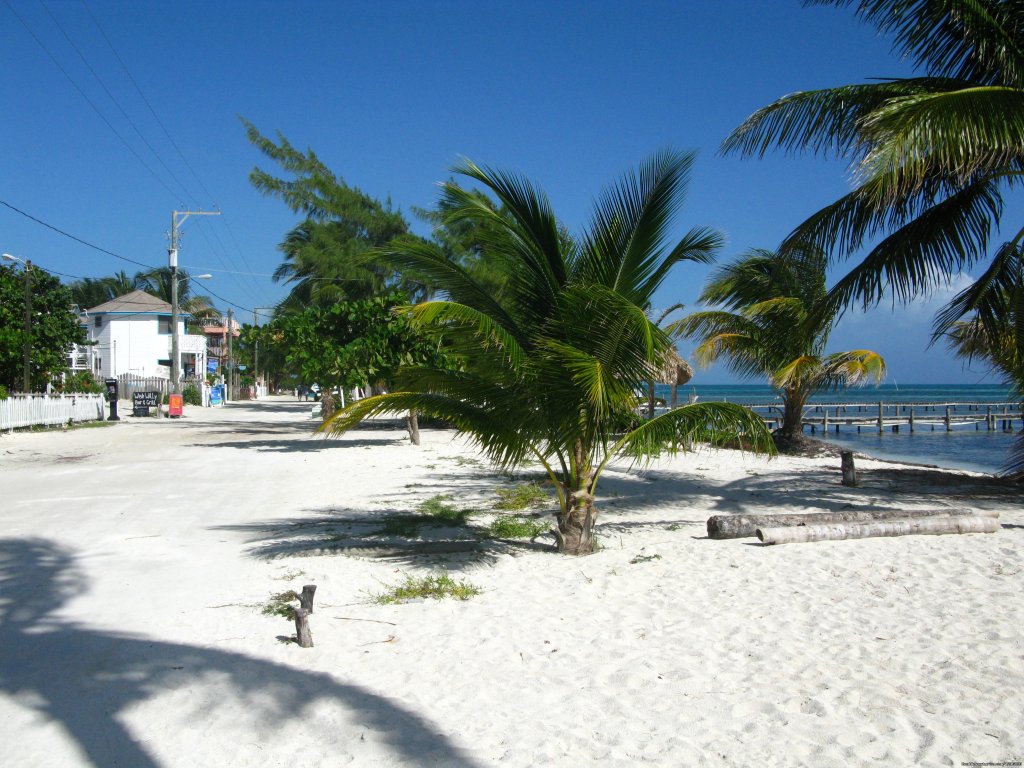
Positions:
(391, 95)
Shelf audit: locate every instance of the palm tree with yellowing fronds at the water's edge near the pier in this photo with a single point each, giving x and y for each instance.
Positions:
(772, 324)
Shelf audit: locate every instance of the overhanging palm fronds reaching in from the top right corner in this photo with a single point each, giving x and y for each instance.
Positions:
(931, 154)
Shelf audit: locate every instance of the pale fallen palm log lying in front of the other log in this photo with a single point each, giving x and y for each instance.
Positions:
(840, 531)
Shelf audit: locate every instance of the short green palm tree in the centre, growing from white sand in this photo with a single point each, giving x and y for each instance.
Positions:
(548, 373)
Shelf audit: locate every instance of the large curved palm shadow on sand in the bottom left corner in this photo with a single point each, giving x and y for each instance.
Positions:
(88, 680)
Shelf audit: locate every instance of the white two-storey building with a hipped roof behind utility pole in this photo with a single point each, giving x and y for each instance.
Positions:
(133, 335)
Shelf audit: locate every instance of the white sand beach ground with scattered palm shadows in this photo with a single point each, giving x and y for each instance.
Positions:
(136, 560)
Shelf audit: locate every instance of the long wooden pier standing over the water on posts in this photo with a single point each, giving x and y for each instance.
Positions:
(894, 416)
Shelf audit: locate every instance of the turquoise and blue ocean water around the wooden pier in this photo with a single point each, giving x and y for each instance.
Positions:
(965, 448)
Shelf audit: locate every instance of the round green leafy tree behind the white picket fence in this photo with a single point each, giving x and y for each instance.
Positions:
(54, 330)
